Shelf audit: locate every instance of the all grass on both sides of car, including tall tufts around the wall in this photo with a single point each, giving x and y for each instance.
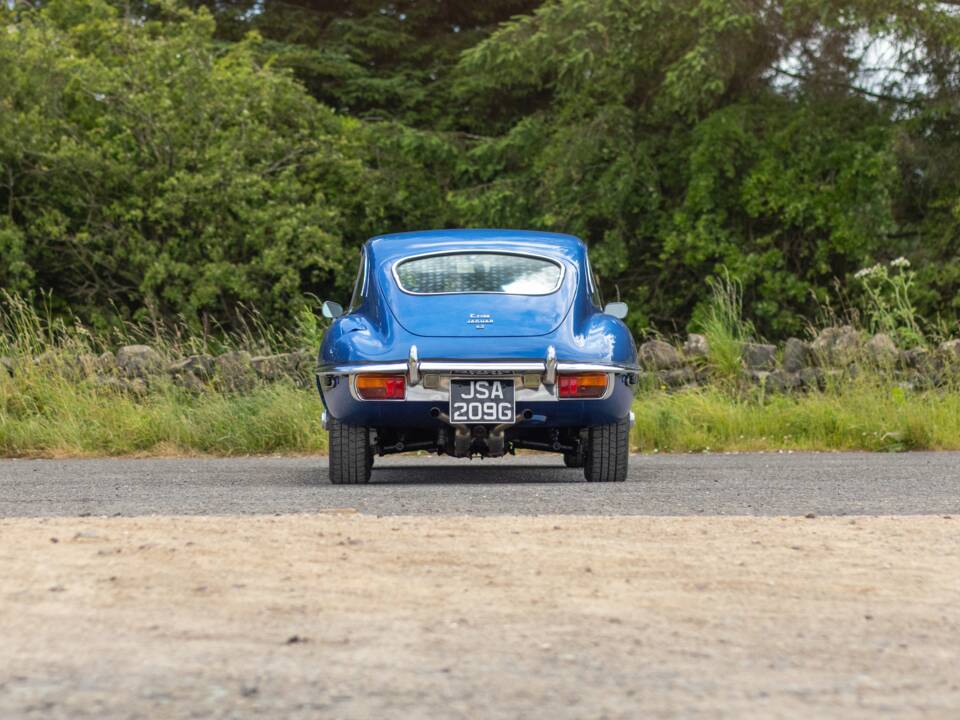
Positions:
(44, 412)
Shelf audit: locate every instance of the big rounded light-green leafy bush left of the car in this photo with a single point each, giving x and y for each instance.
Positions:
(148, 173)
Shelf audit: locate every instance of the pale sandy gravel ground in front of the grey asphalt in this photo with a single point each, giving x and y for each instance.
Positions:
(350, 616)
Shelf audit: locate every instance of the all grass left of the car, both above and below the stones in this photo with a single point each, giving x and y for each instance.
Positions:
(54, 403)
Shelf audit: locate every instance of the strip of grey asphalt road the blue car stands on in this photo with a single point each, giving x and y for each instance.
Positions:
(747, 484)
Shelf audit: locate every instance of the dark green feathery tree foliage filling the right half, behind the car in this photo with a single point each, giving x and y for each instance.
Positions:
(679, 137)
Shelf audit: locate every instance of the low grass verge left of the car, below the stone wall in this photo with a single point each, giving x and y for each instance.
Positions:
(47, 415)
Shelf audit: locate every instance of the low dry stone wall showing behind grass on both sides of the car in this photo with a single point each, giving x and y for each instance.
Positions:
(837, 354)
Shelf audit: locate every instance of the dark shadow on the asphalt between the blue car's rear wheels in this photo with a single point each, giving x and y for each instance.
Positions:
(475, 475)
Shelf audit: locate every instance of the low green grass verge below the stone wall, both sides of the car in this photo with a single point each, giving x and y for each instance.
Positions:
(45, 414)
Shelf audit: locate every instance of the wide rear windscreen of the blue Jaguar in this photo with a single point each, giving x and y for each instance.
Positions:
(478, 272)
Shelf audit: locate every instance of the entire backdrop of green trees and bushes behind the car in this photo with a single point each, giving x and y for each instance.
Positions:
(174, 161)
